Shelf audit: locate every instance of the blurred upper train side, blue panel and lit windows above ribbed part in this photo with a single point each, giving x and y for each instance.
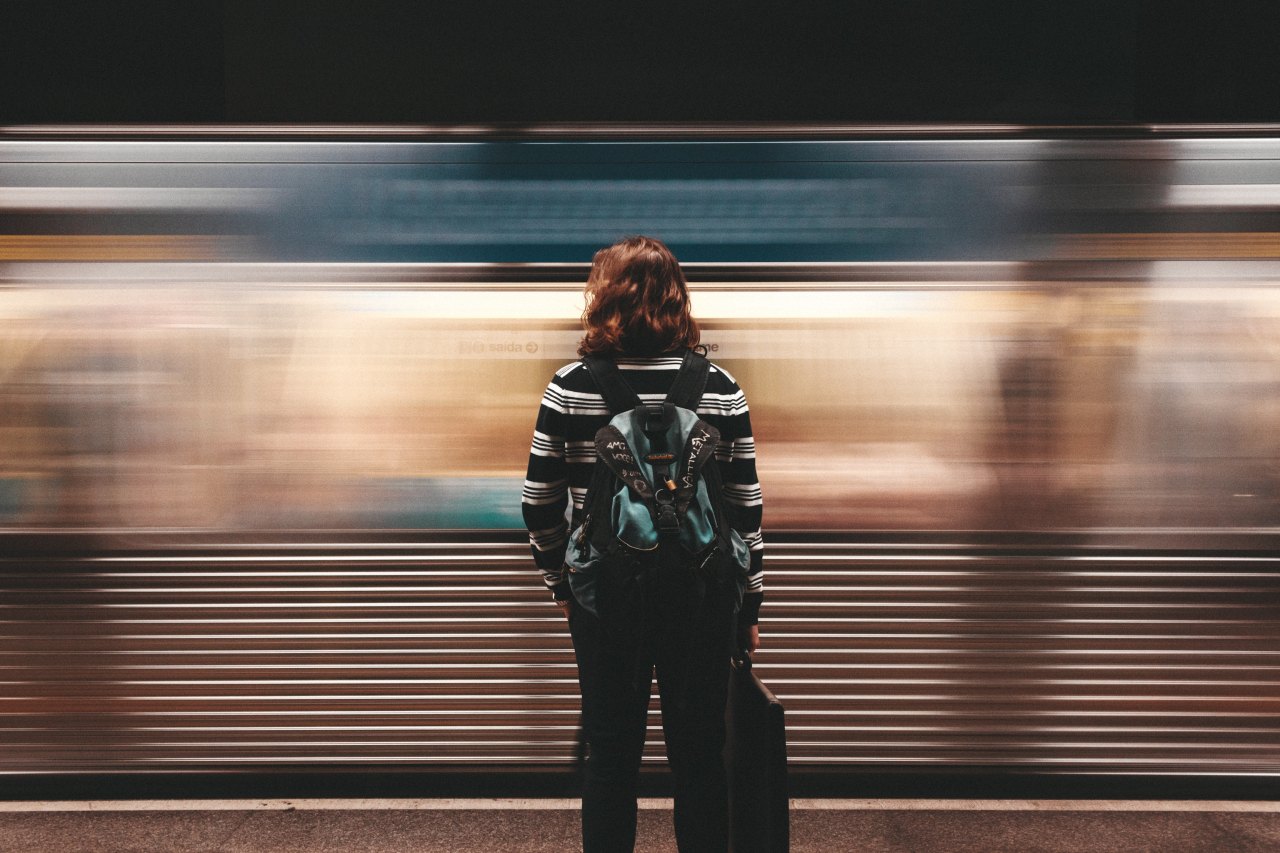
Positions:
(934, 334)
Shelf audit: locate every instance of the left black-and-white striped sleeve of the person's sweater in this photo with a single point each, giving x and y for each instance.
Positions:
(546, 494)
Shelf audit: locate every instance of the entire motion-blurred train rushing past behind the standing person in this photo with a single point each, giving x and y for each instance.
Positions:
(267, 398)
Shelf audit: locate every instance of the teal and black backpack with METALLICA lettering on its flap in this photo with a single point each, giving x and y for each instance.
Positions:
(653, 518)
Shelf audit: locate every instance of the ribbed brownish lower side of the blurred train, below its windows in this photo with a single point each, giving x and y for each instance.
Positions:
(231, 653)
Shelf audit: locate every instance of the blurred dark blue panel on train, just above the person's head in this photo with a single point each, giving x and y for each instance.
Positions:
(755, 204)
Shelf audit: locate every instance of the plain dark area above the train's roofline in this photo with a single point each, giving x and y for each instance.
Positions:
(495, 62)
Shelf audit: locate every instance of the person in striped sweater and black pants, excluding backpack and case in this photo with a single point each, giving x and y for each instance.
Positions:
(638, 314)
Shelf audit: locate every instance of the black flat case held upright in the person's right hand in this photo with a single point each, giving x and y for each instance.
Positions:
(757, 759)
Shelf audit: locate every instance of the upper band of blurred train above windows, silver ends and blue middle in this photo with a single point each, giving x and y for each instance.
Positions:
(543, 202)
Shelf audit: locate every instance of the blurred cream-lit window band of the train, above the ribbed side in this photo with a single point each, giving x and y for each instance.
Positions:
(1142, 400)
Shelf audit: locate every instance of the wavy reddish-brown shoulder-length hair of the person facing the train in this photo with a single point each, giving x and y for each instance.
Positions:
(637, 302)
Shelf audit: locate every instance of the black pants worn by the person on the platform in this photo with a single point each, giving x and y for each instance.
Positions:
(688, 641)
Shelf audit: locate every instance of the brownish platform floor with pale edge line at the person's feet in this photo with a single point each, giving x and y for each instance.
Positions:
(552, 827)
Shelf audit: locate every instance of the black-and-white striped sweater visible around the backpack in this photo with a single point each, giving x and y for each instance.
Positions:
(564, 455)
